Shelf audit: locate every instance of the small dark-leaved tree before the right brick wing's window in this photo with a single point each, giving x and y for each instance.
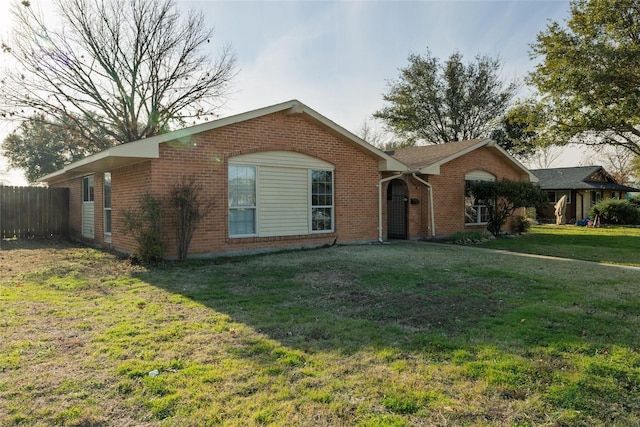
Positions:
(507, 196)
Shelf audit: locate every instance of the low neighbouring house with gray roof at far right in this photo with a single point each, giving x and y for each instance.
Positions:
(584, 186)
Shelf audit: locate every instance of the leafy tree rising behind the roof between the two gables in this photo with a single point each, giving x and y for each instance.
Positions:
(434, 103)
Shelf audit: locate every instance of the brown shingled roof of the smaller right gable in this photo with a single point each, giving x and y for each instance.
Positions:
(427, 159)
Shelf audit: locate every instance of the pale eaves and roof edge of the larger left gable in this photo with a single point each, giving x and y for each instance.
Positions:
(148, 148)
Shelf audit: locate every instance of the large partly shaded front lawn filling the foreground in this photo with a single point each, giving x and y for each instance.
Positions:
(380, 335)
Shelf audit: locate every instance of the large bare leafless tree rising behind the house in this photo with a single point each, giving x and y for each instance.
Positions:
(118, 69)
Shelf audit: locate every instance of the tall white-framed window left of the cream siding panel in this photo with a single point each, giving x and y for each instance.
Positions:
(242, 200)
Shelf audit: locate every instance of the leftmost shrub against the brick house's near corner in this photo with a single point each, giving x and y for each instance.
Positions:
(145, 225)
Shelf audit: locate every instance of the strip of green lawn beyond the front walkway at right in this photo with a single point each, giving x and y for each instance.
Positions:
(614, 245)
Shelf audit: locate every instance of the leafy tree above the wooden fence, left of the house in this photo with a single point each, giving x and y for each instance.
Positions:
(40, 146)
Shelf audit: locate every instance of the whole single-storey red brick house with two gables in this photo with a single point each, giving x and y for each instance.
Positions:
(283, 176)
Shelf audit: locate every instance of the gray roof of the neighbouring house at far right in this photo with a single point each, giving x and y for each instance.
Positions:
(578, 178)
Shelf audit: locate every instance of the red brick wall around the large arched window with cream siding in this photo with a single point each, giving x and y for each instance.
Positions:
(206, 157)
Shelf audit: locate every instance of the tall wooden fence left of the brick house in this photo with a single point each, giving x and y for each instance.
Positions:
(27, 212)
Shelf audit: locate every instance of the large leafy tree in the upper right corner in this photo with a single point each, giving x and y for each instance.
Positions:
(589, 75)
